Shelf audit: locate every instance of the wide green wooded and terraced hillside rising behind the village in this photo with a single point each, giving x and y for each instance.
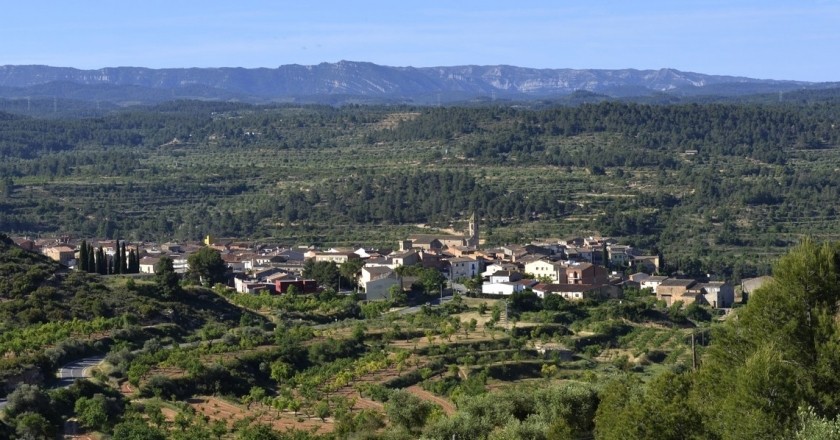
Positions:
(716, 187)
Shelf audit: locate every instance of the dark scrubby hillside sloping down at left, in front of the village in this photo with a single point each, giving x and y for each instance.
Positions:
(49, 315)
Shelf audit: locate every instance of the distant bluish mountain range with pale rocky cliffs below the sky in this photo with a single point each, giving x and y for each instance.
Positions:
(362, 82)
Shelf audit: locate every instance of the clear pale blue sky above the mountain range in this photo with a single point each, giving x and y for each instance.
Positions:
(797, 40)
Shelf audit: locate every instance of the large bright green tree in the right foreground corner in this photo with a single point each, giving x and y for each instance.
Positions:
(780, 354)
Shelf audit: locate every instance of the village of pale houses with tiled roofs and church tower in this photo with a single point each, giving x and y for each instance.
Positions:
(574, 268)
